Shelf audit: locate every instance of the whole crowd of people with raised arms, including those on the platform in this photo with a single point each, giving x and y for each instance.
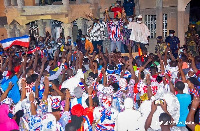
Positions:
(57, 85)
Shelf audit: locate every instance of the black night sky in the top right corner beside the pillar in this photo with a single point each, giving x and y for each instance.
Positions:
(195, 10)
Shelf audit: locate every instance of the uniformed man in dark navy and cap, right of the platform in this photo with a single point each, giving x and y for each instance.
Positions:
(173, 42)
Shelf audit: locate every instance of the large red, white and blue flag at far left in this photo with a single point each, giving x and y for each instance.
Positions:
(21, 41)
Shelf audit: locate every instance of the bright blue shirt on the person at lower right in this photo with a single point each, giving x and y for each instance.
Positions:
(185, 101)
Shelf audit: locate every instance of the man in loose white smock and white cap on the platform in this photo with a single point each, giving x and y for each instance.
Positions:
(140, 32)
